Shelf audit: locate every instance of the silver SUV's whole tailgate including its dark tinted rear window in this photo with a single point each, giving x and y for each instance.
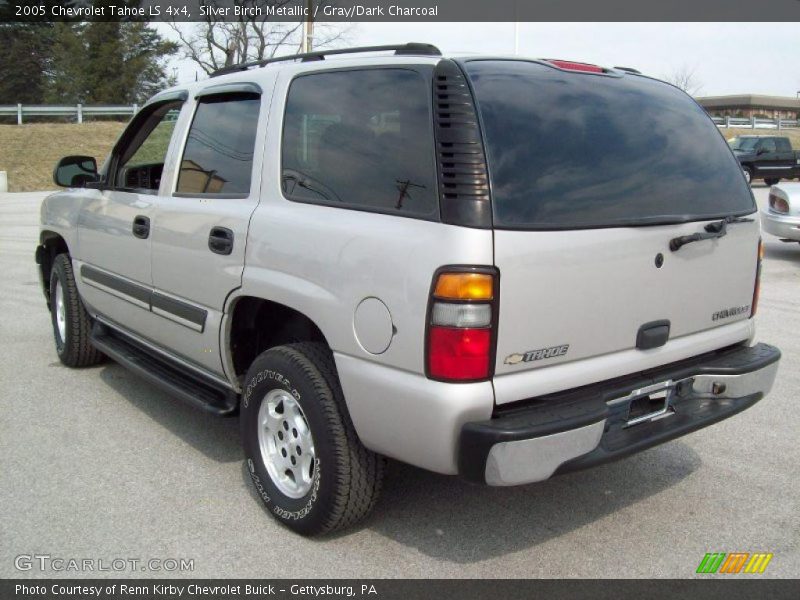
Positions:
(592, 175)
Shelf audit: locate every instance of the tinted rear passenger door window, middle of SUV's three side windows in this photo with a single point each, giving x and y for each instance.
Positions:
(218, 158)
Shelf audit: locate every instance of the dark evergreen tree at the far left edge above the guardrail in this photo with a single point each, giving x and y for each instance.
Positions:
(24, 61)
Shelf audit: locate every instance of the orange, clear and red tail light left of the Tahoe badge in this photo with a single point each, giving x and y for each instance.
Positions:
(462, 324)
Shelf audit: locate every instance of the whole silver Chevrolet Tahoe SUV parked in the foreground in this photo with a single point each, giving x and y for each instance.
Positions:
(498, 268)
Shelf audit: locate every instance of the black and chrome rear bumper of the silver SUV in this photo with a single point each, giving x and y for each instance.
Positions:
(592, 425)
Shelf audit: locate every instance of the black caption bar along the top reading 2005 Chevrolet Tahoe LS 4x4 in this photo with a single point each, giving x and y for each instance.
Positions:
(408, 10)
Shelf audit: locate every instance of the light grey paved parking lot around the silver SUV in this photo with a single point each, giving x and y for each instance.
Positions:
(98, 464)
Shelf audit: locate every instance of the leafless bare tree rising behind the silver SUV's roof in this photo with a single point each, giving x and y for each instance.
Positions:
(216, 43)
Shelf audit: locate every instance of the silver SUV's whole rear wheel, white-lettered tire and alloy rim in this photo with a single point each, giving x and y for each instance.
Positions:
(305, 459)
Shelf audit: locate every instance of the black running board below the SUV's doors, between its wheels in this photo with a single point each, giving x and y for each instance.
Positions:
(204, 394)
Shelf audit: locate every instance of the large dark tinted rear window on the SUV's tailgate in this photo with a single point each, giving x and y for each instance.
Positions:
(569, 150)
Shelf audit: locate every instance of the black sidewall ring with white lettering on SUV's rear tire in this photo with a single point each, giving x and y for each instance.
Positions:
(275, 370)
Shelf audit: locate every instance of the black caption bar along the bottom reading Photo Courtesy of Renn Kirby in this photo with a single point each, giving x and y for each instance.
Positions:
(728, 587)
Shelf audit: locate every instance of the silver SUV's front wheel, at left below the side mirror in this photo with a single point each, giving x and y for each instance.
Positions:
(71, 323)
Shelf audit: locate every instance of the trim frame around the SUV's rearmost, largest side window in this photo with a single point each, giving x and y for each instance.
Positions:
(426, 72)
